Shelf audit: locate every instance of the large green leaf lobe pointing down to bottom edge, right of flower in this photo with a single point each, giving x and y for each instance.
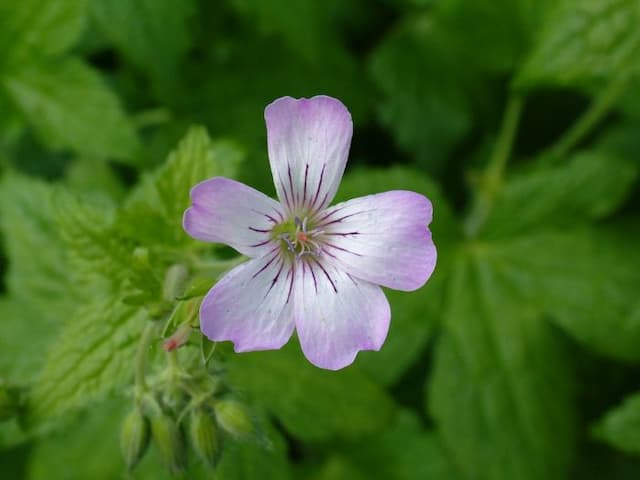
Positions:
(500, 392)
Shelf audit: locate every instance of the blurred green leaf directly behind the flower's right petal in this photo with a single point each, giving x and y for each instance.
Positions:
(414, 314)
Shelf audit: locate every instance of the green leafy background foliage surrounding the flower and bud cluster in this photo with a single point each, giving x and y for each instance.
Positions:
(519, 359)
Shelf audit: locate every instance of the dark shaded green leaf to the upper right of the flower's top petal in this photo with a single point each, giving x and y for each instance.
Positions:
(426, 104)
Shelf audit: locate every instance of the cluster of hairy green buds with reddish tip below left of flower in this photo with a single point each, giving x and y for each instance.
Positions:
(184, 404)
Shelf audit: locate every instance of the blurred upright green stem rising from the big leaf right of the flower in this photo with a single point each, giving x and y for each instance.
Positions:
(491, 178)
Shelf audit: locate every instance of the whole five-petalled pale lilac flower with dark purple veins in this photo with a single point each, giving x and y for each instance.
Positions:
(312, 267)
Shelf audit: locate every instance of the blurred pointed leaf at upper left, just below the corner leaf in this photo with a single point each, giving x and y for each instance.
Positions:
(69, 106)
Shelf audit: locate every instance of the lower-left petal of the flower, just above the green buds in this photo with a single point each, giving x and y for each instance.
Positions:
(252, 306)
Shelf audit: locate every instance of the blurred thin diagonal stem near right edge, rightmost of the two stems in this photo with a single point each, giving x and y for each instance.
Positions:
(599, 107)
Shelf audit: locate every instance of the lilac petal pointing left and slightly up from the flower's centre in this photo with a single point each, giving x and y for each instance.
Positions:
(230, 212)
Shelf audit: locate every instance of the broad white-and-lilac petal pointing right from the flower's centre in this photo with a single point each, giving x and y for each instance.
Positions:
(382, 238)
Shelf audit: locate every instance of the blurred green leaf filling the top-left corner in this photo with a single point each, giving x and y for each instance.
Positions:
(38, 28)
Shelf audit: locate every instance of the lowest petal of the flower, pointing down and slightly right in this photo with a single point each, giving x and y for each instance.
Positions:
(337, 315)
